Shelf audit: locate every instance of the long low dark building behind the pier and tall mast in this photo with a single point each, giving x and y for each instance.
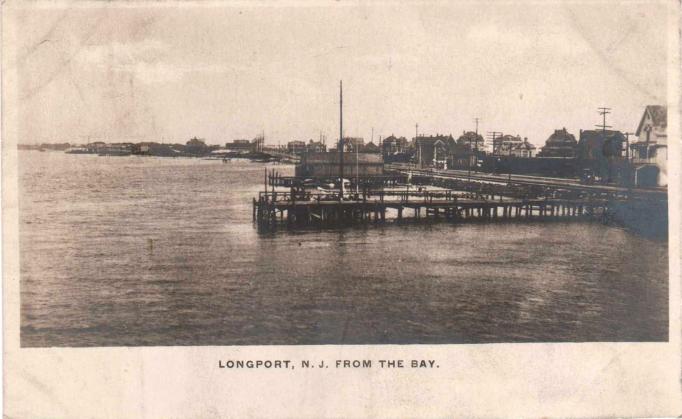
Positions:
(327, 165)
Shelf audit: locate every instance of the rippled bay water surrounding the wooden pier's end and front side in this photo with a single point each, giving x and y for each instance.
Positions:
(147, 251)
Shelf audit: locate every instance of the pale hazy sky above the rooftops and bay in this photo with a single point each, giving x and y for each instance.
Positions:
(231, 70)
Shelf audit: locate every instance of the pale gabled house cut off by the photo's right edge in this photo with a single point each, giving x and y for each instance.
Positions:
(650, 151)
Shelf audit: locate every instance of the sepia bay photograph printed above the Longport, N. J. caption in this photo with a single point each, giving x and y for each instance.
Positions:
(330, 174)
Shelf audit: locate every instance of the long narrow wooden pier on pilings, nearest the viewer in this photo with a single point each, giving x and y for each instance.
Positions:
(326, 209)
